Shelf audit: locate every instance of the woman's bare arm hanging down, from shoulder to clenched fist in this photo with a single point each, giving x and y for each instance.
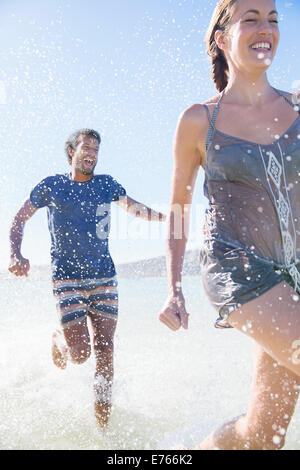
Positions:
(188, 147)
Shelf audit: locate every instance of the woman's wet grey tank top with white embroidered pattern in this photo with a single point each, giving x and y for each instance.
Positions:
(254, 194)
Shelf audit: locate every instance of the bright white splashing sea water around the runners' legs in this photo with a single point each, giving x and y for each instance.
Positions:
(170, 390)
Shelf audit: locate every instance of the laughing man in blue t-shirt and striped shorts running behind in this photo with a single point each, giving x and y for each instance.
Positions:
(83, 272)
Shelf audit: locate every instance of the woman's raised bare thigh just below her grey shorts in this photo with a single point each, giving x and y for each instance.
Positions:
(273, 321)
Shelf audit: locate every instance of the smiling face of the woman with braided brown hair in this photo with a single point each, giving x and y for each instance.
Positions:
(253, 35)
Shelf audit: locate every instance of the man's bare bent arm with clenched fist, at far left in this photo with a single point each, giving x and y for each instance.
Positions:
(19, 265)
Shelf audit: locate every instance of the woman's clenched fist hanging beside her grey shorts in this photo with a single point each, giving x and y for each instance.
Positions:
(174, 314)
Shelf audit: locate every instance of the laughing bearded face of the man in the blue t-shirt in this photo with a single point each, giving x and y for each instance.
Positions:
(85, 155)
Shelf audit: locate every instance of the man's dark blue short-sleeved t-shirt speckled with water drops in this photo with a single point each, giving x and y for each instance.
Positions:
(79, 223)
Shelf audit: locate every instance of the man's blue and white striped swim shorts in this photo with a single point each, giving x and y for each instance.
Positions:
(78, 298)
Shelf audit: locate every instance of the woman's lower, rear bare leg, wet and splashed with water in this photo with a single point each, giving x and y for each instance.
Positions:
(274, 395)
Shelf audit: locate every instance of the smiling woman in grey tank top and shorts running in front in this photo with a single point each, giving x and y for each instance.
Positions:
(247, 140)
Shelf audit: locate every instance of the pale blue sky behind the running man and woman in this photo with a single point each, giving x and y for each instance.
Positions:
(126, 68)
